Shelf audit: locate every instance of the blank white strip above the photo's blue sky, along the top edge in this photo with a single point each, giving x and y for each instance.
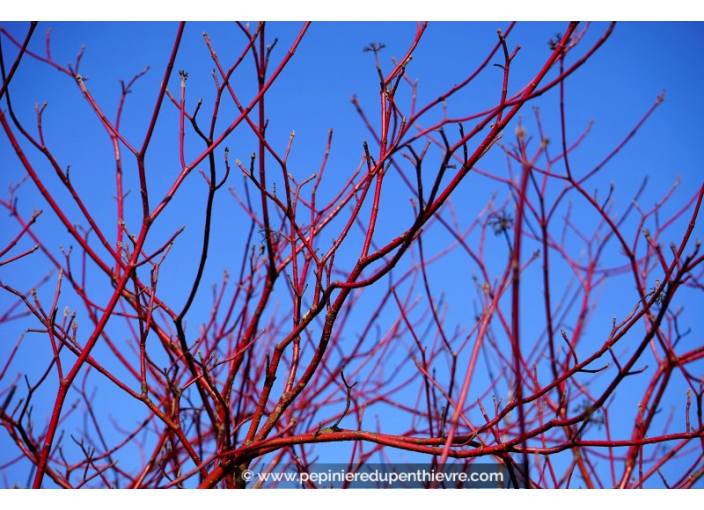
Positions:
(359, 10)
